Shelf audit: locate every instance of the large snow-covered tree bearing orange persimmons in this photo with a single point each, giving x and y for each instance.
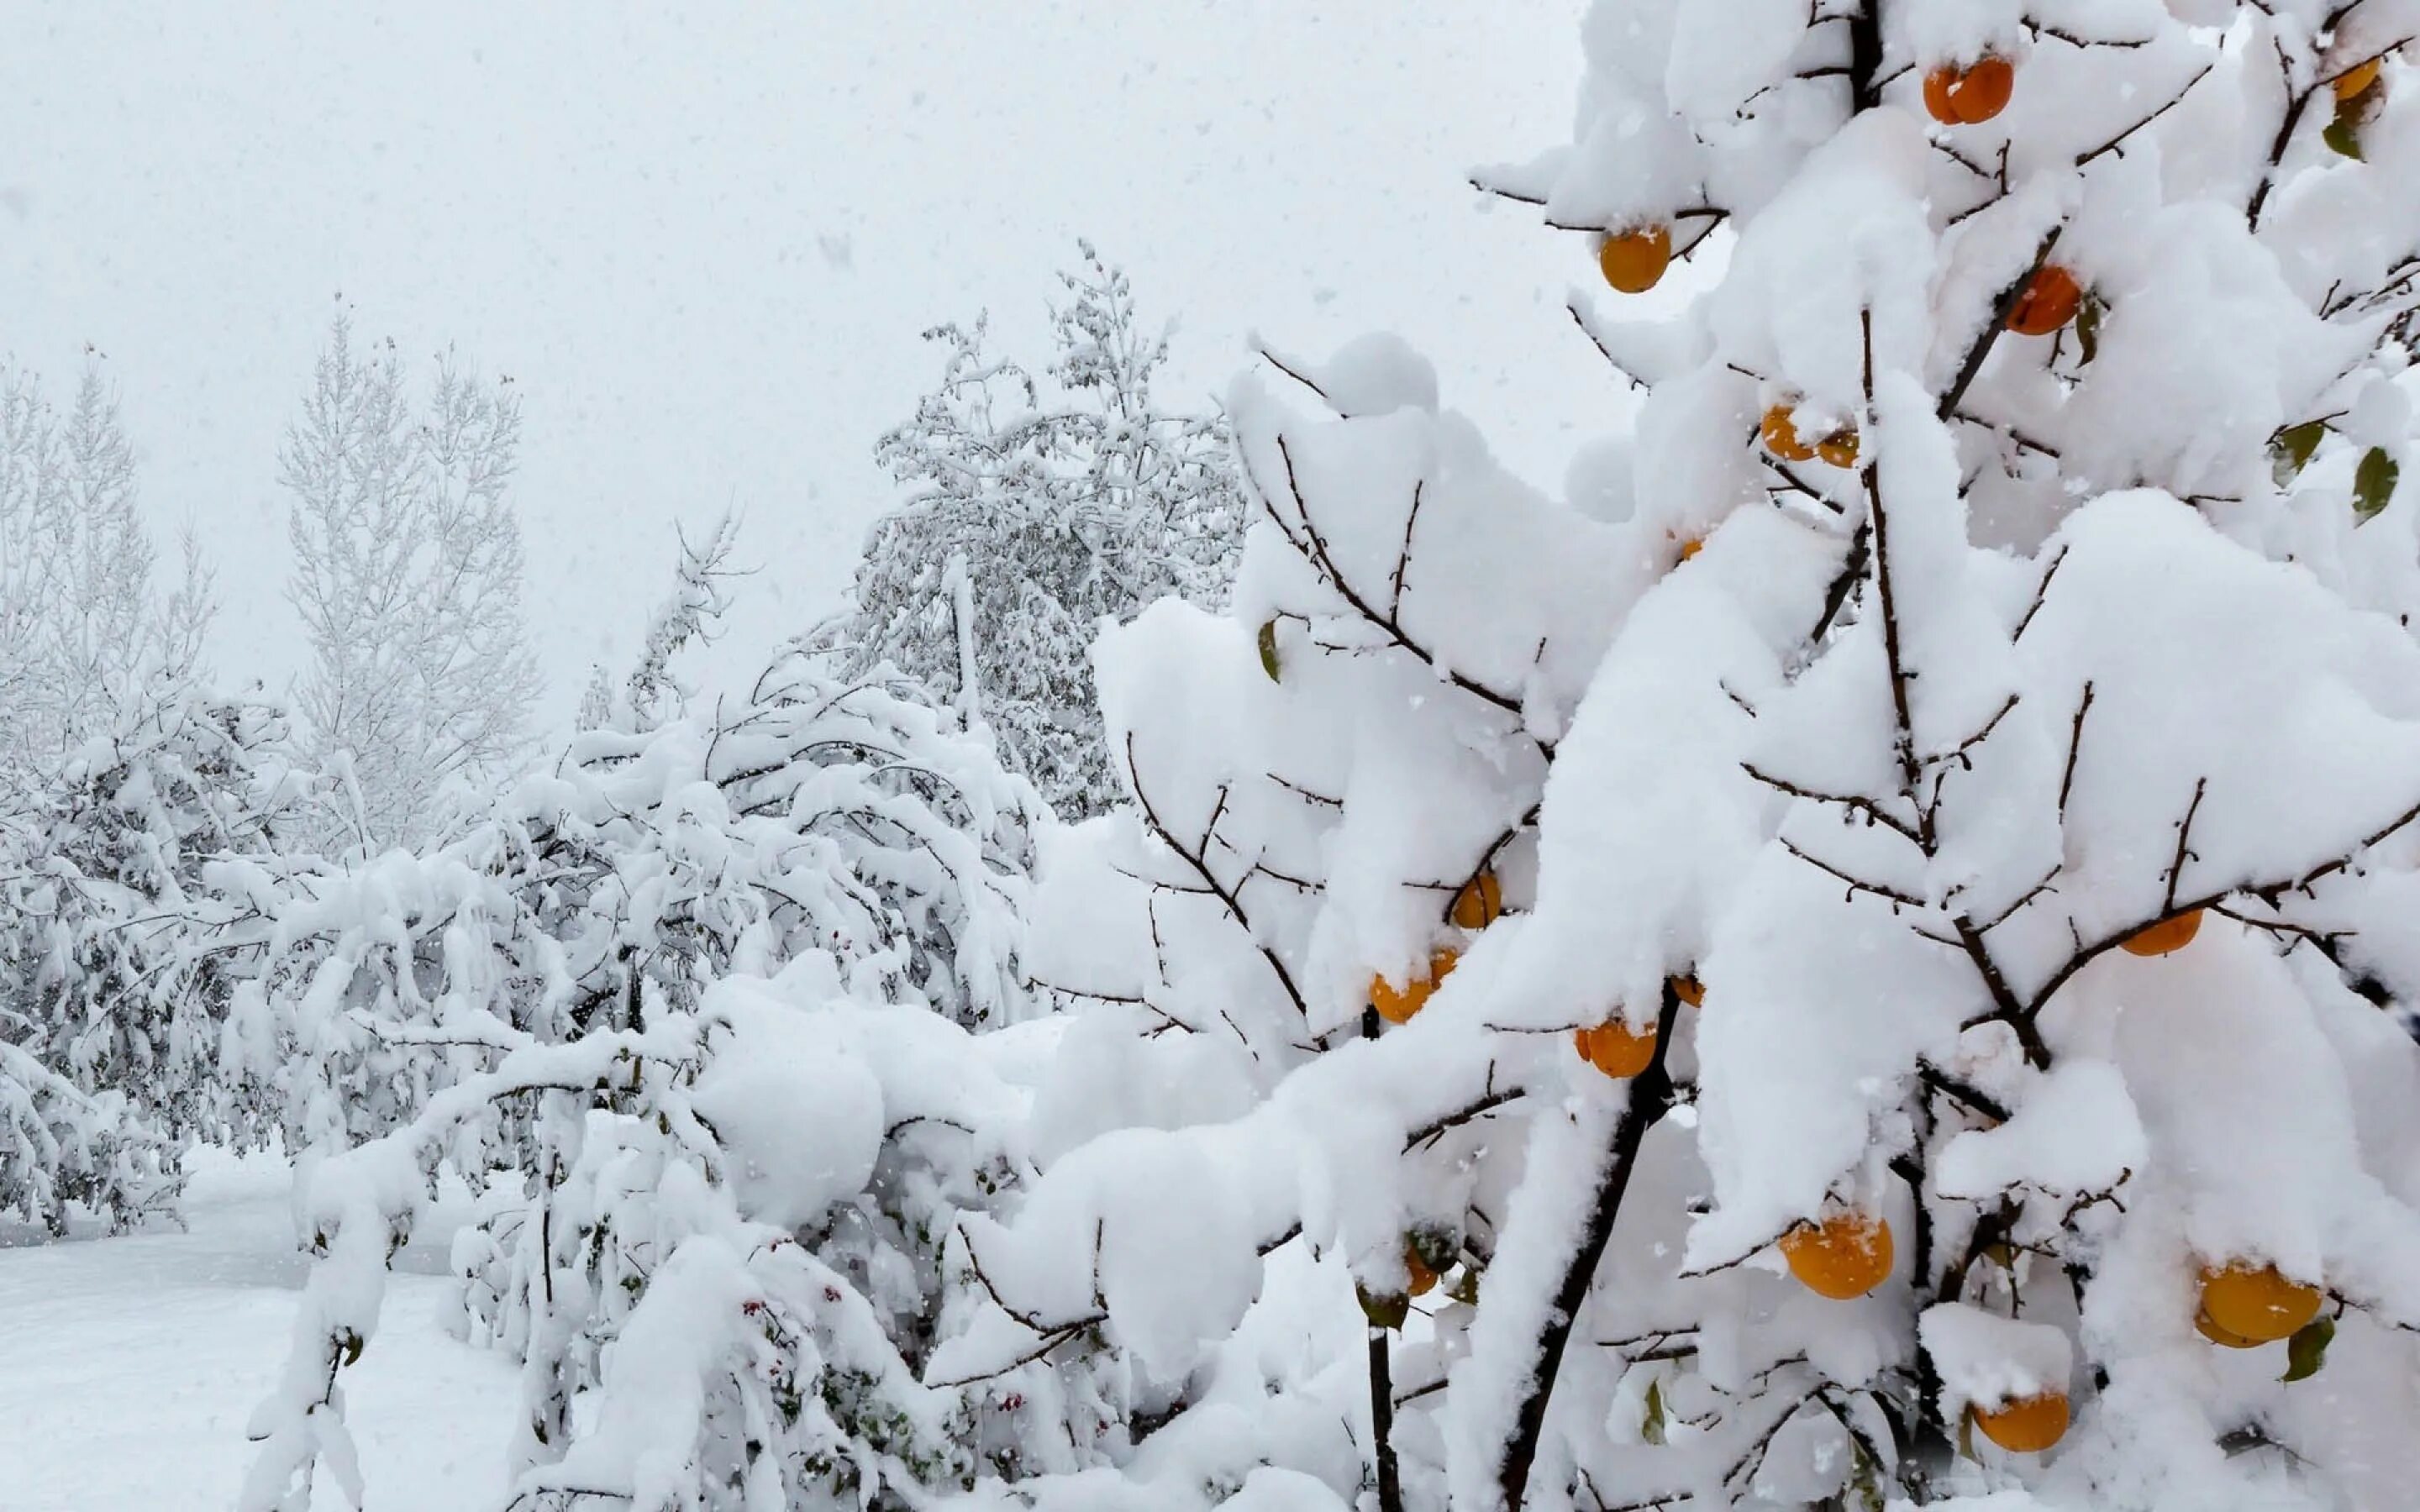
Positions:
(1949, 771)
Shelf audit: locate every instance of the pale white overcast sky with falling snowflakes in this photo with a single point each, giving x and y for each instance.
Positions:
(703, 241)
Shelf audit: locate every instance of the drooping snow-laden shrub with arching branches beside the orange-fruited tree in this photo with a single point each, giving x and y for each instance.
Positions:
(737, 1196)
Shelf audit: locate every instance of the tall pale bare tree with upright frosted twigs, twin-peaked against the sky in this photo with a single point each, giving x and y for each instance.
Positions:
(408, 577)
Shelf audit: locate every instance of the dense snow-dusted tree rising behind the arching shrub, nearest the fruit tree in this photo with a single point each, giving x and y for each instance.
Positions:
(1035, 516)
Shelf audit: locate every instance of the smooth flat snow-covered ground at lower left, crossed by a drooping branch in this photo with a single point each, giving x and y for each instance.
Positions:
(129, 1366)
